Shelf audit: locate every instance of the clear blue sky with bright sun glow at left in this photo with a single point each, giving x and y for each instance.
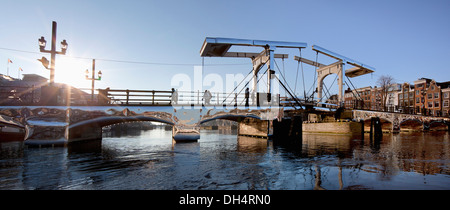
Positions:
(406, 39)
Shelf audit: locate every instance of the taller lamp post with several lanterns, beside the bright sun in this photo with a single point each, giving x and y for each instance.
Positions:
(53, 52)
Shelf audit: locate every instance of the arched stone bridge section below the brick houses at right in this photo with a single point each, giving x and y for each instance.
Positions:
(397, 119)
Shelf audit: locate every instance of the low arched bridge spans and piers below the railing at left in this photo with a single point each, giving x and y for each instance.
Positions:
(56, 125)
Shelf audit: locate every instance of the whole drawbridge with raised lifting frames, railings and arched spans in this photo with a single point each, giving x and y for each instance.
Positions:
(263, 112)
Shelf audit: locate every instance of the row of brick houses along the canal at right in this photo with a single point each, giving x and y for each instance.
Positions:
(425, 96)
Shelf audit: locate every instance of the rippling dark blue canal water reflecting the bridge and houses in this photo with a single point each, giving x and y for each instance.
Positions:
(221, 160)
